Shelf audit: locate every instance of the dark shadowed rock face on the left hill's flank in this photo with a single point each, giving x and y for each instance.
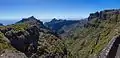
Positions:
(24, 41)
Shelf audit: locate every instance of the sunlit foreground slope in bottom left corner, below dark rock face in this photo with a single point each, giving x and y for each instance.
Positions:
(7, 50)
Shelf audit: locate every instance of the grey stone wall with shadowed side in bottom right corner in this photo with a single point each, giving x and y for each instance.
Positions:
(111, 49)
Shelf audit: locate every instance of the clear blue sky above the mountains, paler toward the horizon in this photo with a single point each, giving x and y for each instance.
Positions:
(48, 9)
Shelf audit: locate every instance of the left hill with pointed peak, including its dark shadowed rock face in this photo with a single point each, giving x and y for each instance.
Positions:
(31, 37)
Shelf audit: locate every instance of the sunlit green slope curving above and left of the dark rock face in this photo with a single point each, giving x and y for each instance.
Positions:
(5, 44)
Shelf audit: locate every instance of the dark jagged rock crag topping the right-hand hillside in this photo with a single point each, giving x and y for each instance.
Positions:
(104, 14)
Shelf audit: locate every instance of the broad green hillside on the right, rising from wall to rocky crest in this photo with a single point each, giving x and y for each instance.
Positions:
(87, 42)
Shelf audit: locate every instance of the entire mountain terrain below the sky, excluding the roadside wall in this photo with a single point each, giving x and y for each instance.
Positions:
(60, 38)
